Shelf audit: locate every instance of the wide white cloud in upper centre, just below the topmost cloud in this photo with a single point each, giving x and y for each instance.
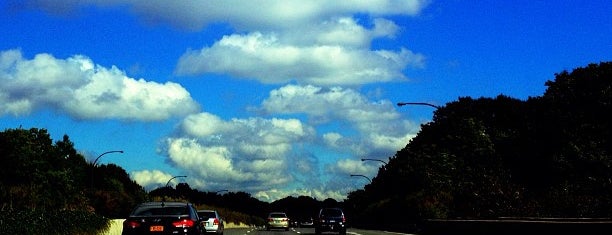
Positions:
(267, 59)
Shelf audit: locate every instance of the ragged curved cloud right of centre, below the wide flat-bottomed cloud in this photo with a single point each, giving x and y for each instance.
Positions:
(378, 122)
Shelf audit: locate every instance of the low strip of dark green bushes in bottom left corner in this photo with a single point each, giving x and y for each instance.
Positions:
(52, 222)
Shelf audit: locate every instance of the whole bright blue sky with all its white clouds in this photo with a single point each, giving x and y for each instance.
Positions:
(273, 98)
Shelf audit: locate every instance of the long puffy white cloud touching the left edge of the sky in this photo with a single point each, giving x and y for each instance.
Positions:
(85, 90)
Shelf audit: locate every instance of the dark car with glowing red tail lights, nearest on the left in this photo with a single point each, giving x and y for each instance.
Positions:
(163, 218)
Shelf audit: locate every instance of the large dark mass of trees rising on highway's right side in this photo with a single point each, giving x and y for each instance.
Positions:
(548, 156)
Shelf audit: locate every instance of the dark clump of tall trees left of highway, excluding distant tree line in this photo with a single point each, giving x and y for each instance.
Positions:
(52, 182)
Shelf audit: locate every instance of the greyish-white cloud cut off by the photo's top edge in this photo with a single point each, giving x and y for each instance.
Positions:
(243, 15)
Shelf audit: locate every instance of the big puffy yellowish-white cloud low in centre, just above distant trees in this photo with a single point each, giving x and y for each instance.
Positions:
(253, 153)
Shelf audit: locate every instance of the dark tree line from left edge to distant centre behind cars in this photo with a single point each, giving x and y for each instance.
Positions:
(39, 175)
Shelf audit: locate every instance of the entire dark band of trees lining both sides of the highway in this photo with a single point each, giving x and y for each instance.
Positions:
(546, 156)
